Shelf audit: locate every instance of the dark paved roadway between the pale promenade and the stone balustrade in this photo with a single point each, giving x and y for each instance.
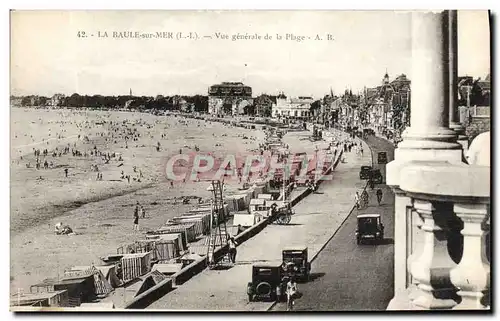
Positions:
(347, 276)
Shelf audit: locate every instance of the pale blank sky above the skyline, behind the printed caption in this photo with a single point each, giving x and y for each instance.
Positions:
(48, 57)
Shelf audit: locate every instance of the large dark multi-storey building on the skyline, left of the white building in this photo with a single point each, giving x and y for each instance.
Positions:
(229, 98)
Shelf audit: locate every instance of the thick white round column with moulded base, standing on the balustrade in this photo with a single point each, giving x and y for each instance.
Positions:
(428, 135)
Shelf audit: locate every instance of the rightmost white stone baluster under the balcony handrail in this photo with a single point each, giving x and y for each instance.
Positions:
(472, 275)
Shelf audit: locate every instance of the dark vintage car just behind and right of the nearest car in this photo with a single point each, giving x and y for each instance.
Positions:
(295, 263)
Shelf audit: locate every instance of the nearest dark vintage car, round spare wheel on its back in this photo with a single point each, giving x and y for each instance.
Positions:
(267, 284)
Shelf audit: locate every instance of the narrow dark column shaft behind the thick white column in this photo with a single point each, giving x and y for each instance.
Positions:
(455, 124)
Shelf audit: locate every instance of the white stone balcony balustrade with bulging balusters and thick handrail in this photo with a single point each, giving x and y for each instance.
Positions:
(449, 259)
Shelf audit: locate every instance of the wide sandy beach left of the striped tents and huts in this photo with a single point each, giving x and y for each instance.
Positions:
(99, 211)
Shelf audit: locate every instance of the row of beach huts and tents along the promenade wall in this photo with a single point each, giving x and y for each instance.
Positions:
(163, 252)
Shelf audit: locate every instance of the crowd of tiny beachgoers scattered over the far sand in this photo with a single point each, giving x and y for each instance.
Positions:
(101, 143)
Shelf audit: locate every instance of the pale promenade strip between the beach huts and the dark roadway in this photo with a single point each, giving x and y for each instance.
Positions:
(317, 217)
